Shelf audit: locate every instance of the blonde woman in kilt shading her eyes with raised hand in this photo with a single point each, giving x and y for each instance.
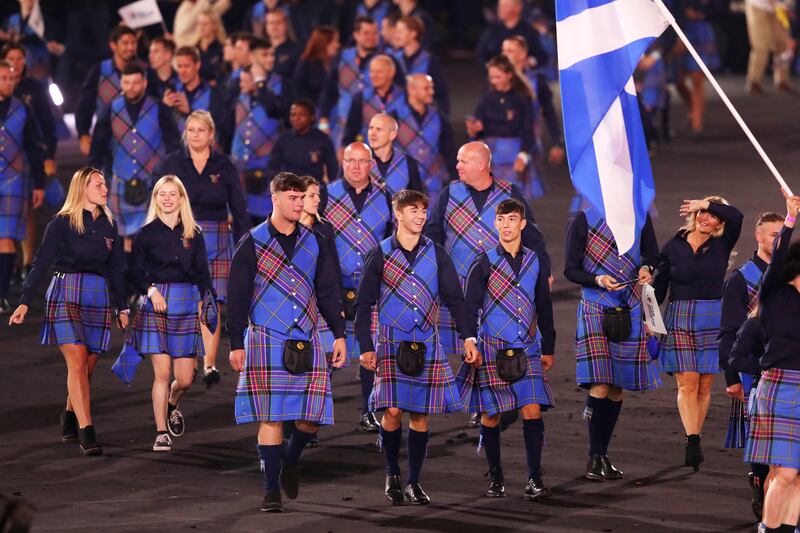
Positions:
(692, 266)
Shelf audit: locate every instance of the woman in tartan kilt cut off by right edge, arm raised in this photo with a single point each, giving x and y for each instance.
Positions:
(774, 436)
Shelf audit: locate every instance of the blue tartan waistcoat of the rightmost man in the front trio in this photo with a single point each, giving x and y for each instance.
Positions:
(509, 306)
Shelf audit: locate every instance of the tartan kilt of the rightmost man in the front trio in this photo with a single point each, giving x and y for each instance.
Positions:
(484, 391)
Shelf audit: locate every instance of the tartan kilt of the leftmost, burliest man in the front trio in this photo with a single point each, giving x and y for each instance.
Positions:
(267, 392)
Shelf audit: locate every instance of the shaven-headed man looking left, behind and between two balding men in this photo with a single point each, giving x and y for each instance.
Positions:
(394, 170)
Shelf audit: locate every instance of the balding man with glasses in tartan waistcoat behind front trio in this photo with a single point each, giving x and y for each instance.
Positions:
(361, 216)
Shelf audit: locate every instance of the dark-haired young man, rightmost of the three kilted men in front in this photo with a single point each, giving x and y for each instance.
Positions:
(508, 297)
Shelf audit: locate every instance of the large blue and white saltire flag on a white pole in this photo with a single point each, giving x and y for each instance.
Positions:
(599, 44)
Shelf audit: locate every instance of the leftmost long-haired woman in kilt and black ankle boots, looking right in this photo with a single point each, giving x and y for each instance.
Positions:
(84, 248)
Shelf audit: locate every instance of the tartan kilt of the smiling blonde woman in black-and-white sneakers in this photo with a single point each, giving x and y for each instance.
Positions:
(176, 332)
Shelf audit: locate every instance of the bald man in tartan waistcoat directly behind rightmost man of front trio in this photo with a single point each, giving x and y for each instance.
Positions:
(463, 221)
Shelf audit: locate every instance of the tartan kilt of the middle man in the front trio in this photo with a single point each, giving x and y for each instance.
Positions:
(434, 391)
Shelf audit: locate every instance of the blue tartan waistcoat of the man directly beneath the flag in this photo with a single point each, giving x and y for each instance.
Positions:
(601, 257)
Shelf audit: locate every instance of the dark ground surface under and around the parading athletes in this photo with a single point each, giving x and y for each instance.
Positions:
(211, 480)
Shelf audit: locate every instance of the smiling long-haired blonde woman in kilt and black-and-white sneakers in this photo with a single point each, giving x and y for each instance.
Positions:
(169, 267)
